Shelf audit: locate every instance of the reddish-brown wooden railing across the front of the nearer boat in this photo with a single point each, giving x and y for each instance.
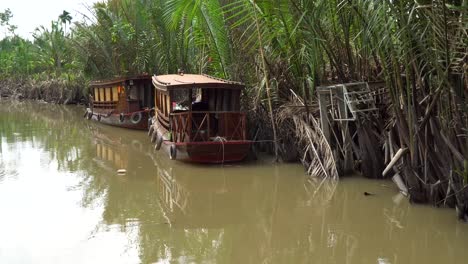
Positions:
(204, 126)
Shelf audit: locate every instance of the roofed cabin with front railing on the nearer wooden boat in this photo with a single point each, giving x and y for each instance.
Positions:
(211, 106)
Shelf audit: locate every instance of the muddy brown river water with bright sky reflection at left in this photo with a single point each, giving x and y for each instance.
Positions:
(62, 201)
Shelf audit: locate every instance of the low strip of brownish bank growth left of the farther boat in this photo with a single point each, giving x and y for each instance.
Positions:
(57, 91)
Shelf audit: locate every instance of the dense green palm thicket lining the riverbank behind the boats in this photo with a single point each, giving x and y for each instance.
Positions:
(417, 47)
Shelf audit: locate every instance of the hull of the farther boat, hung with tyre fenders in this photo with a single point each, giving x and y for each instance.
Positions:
(132, 121)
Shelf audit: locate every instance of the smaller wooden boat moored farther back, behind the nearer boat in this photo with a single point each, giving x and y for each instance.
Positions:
(124, 102)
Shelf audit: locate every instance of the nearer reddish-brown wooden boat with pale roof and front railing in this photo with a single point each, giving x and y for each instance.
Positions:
(197, 118)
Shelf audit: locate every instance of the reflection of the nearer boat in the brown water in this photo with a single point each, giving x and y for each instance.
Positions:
(206, 201)
